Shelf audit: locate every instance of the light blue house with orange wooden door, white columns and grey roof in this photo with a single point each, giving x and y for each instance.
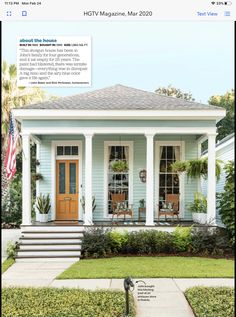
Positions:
(78, 137)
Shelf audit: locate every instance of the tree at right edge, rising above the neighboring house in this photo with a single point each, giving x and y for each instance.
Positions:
(226, 125)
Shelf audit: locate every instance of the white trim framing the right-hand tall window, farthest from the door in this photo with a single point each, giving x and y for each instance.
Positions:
(181, 177)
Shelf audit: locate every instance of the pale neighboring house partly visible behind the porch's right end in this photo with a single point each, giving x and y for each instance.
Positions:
(224, 150)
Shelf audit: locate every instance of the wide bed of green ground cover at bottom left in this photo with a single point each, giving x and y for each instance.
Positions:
(54, 302)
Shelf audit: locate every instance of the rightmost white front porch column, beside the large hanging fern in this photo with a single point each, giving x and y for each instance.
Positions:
(211, 182)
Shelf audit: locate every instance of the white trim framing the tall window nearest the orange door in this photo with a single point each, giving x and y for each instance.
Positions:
(130, 144)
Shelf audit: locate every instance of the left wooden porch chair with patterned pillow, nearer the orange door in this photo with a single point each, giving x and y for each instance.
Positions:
(119, 206)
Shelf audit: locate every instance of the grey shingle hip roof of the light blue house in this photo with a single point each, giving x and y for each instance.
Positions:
(120, 97)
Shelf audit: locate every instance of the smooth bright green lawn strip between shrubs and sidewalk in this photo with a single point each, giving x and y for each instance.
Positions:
(120, 267)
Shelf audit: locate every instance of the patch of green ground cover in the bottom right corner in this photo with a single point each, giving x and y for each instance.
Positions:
(211, 301)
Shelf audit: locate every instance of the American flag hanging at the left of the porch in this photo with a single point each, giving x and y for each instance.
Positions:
(10, 161)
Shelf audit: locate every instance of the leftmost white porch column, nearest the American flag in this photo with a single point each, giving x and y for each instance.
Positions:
(26, 180)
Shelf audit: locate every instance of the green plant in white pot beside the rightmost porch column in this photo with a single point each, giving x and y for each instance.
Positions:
(199, 208)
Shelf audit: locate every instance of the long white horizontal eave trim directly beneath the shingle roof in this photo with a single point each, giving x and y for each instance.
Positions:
(184, 114)
